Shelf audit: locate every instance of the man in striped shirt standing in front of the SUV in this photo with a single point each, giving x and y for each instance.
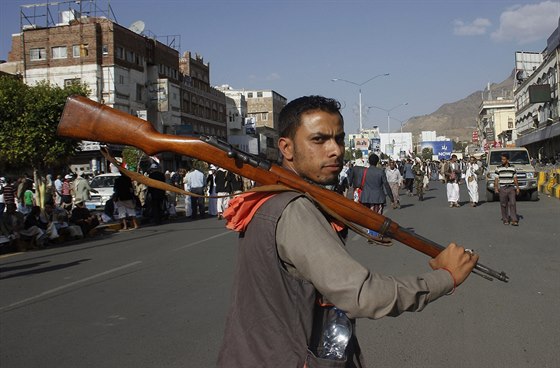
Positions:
(507, 187)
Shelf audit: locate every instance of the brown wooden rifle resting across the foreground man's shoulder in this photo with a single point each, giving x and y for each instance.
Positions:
(85, 119)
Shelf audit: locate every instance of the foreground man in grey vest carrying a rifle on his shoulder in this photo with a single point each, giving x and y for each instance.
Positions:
(292, 268)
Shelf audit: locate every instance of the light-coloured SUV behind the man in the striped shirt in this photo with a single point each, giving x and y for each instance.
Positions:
(526, 173)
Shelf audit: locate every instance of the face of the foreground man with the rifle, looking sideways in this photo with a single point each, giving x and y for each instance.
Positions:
(316, 152)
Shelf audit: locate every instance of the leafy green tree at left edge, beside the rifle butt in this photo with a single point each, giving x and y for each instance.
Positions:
(29, 117)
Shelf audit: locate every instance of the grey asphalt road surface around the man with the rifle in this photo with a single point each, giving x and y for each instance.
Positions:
(157, 296)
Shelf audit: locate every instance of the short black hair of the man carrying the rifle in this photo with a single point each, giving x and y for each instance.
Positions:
(289, 117)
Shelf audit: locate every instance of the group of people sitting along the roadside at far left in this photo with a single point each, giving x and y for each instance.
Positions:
(43, 227)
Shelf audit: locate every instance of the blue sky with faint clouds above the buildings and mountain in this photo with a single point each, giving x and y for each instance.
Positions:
(435, 51)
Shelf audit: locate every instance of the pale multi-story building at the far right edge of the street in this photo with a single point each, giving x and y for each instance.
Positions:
(536, 99)
